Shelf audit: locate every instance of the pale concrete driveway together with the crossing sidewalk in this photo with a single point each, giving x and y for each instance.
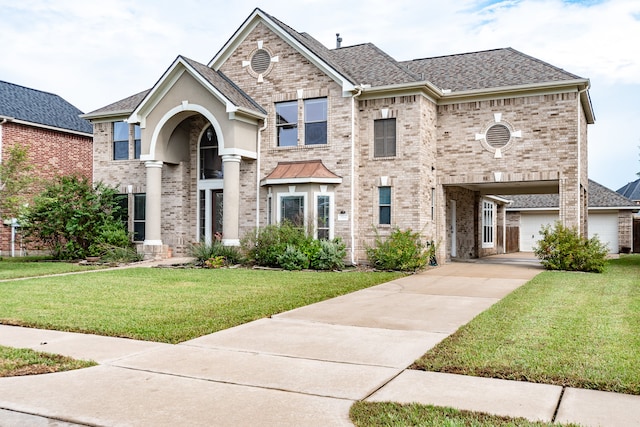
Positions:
(304, 367)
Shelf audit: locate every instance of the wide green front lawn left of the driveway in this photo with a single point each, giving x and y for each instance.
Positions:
(168, 305)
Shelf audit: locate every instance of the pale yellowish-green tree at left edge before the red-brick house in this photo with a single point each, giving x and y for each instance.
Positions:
(16, 181)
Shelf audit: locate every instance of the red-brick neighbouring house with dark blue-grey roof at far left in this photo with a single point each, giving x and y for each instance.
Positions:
(58, 141)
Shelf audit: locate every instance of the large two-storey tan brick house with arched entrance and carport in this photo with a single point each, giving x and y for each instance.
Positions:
(277, 126)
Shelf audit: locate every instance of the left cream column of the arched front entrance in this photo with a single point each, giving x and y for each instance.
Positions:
(153, 235)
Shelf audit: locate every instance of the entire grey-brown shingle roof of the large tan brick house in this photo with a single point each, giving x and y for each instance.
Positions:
(366, 64)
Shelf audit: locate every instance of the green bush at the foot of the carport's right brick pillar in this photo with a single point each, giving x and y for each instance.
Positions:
(562, 248)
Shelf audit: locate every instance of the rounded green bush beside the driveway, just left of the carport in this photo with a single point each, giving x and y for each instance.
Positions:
(401, 251)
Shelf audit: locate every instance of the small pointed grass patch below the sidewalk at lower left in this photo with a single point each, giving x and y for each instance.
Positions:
(22, 361)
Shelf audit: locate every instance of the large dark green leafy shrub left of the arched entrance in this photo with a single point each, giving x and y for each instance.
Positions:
(74, 219)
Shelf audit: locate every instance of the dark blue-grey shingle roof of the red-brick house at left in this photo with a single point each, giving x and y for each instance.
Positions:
(40, 108)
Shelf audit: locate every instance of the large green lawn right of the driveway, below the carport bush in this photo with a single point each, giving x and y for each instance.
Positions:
(571, 329)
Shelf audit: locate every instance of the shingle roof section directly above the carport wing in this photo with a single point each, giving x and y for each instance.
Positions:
(486, 69)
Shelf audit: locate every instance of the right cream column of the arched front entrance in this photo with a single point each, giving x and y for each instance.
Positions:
(231, 200)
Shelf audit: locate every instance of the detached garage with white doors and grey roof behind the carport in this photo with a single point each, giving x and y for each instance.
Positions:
(610, 218)
